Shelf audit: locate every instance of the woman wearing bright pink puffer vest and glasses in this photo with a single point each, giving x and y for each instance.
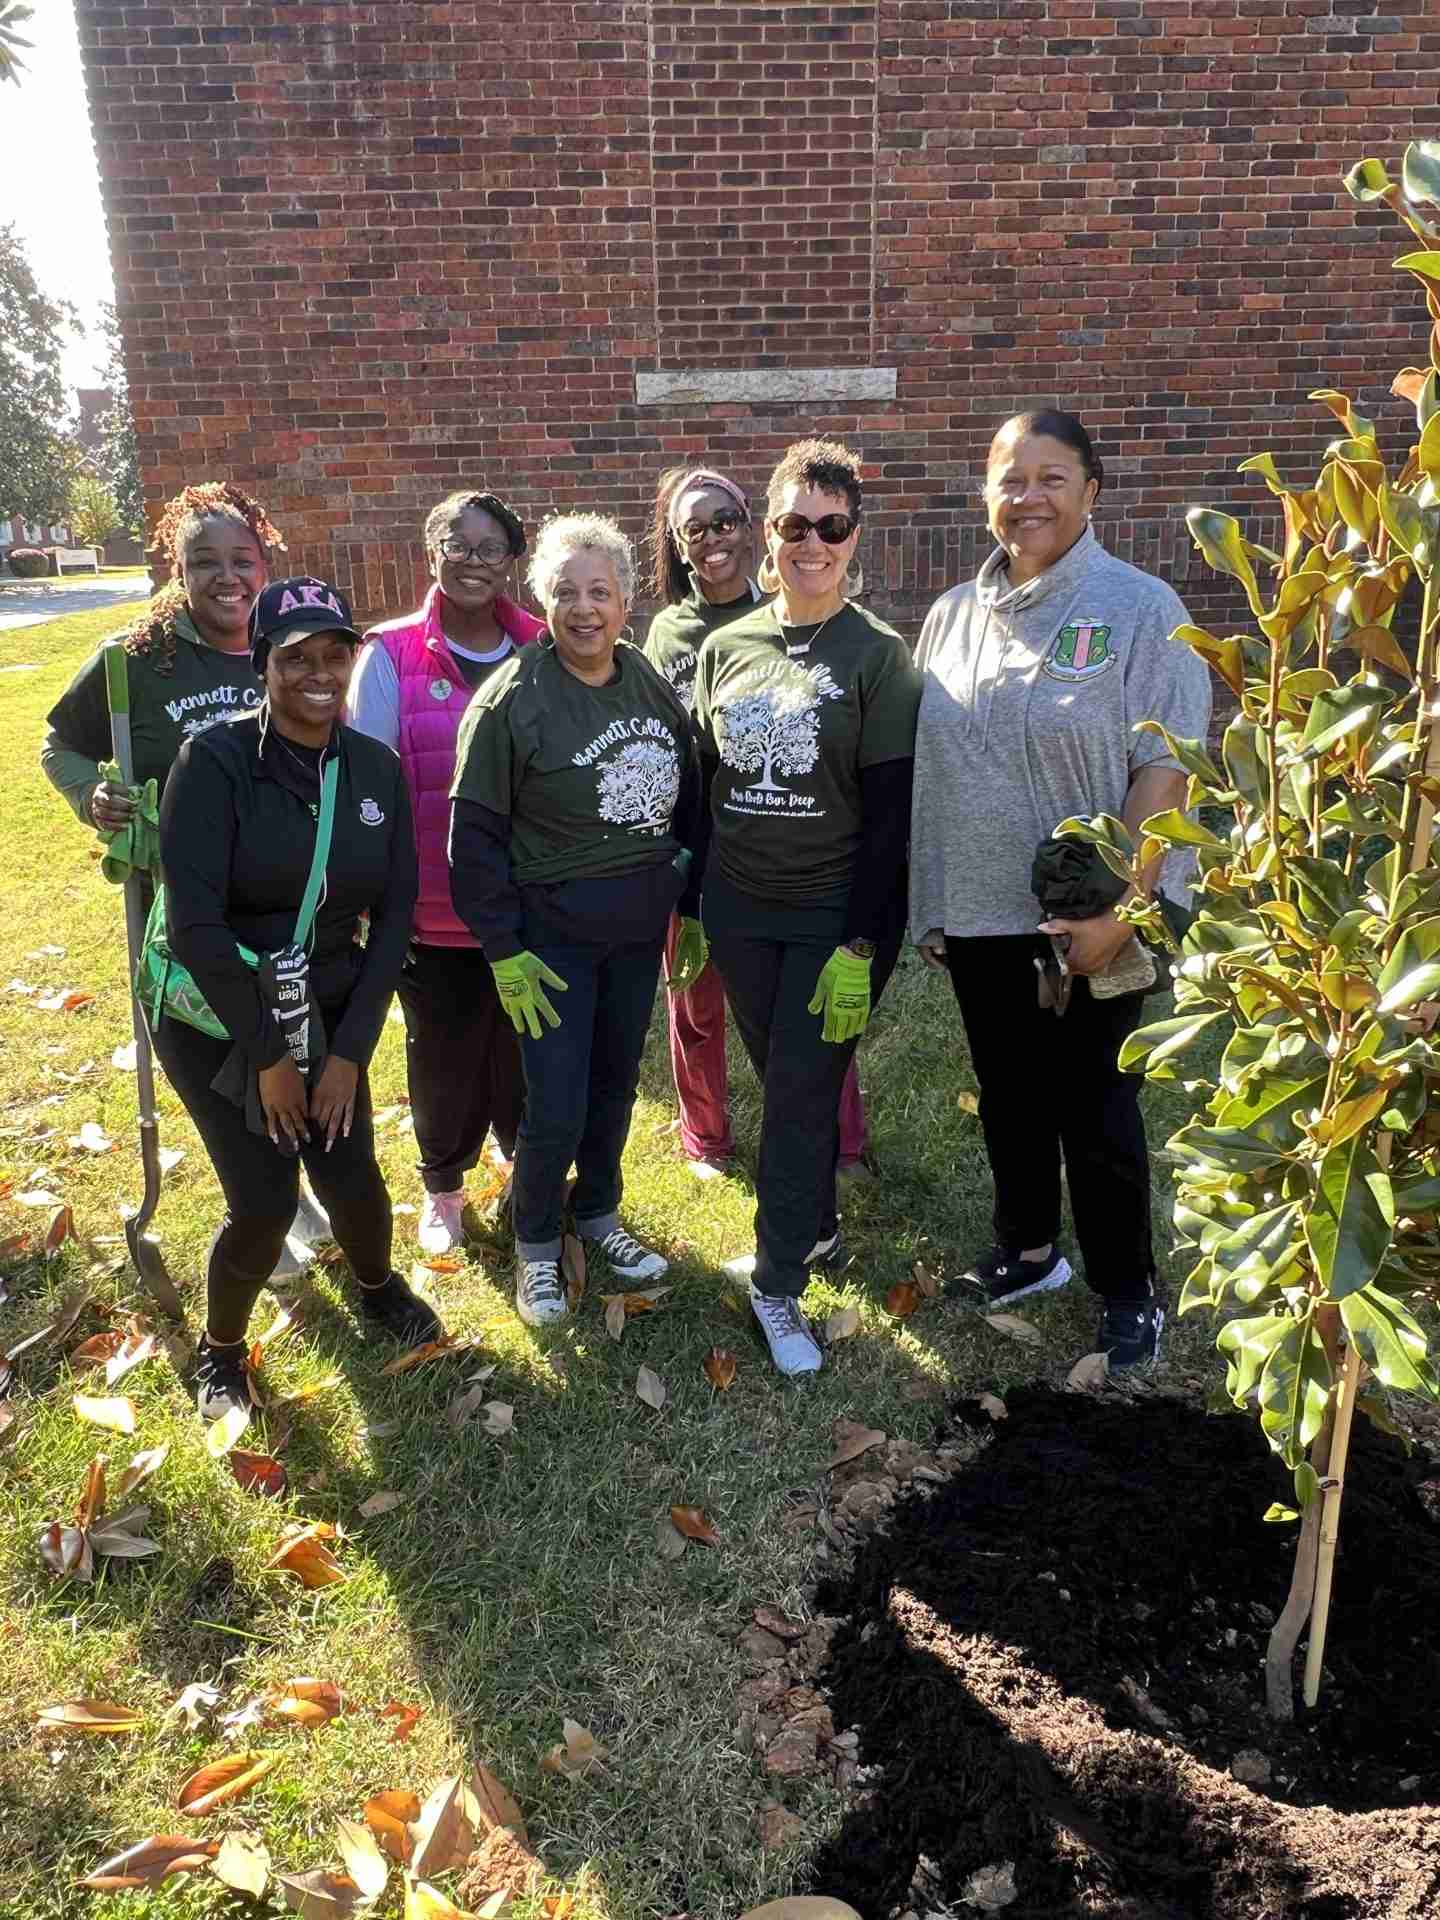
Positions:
(412, 686)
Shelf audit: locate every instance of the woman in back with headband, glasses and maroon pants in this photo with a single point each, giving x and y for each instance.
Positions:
(704, 546)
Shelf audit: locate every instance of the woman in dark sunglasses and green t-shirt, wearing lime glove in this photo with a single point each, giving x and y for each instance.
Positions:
(807, 719)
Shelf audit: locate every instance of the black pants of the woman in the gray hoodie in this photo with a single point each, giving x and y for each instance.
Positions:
(1051, 1088)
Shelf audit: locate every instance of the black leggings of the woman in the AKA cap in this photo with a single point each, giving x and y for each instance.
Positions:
(262, 1184)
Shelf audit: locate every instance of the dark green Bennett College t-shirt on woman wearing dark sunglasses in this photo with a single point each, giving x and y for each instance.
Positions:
(792, 719)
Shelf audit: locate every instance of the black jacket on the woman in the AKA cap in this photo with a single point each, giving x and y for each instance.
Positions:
(237, 838)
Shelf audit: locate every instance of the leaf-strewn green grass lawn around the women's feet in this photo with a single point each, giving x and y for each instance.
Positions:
(519, 1579)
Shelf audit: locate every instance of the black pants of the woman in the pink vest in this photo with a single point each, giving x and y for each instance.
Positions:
(464, 1063)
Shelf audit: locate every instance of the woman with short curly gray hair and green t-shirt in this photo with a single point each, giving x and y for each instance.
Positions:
(573, 817)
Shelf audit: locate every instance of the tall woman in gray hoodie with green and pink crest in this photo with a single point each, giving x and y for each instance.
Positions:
(1036, 679)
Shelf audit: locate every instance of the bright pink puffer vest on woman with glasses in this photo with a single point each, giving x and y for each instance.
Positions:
(433, 700)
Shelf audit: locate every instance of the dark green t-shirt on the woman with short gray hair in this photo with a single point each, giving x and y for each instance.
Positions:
(588, 777)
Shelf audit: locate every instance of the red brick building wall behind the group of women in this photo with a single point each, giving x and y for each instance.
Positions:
(370, 251)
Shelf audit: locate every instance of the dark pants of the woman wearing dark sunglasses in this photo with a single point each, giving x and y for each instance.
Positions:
(771, 961)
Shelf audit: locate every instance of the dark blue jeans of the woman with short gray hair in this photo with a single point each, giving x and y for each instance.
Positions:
(581, 1086)
